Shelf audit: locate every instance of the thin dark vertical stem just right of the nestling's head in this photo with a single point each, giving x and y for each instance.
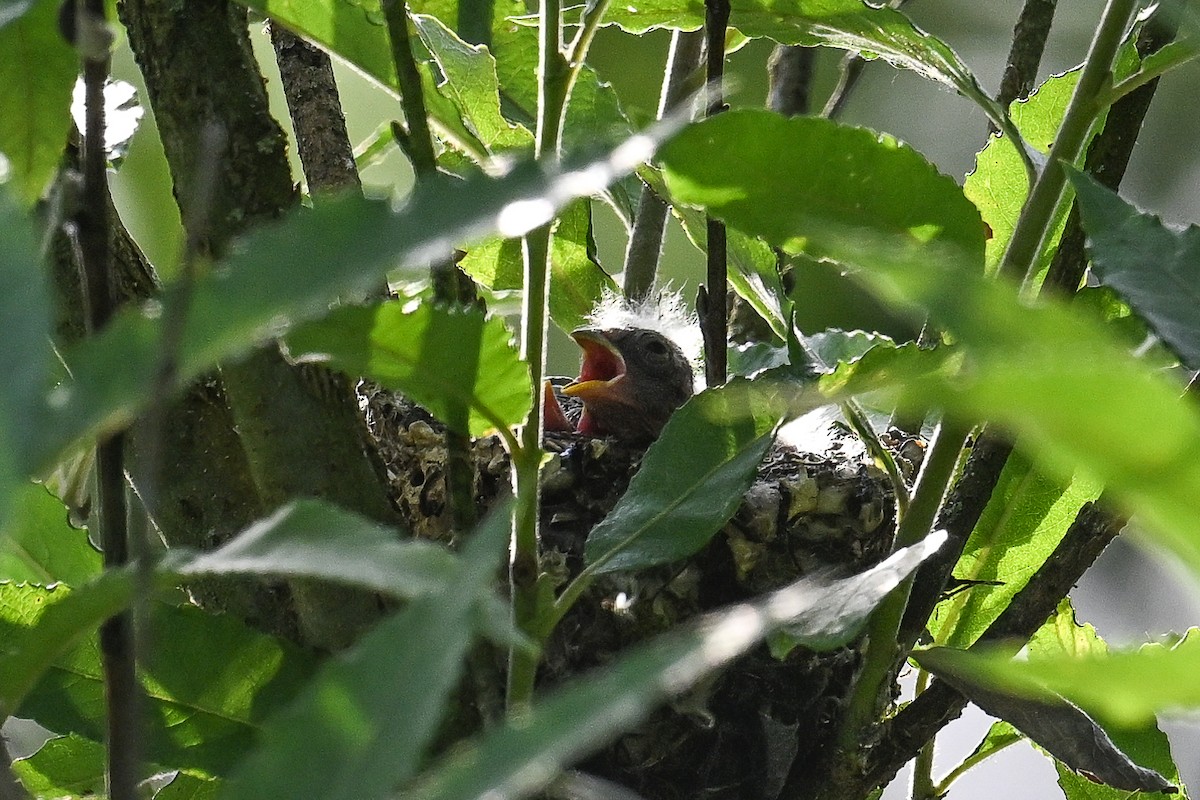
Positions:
(715, 322)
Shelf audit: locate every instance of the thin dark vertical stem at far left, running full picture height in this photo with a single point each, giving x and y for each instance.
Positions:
(117, 640)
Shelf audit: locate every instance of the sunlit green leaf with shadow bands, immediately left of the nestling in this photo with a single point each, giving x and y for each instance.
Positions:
(460, 365)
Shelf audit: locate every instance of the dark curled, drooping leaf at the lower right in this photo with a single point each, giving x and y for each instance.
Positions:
(1063, 729)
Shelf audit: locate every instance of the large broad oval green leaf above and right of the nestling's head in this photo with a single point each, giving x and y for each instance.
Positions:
(856, 214)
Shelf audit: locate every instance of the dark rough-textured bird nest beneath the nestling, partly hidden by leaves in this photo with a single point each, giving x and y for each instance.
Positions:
(764, 723)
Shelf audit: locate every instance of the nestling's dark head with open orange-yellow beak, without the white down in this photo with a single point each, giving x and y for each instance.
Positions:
(631, 382)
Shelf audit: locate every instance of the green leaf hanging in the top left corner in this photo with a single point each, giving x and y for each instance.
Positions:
(38, 70)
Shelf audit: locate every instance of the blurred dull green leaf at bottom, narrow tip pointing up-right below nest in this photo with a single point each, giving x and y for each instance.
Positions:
(364, 724)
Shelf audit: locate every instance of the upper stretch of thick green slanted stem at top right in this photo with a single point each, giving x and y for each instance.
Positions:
(1021, 258)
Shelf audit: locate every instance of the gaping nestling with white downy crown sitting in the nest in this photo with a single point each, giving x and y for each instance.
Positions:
(635, 371)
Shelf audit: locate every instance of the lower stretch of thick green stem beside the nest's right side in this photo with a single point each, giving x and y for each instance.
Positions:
(881, 651)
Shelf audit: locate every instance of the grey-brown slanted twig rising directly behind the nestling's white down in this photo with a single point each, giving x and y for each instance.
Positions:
(650, 222)
